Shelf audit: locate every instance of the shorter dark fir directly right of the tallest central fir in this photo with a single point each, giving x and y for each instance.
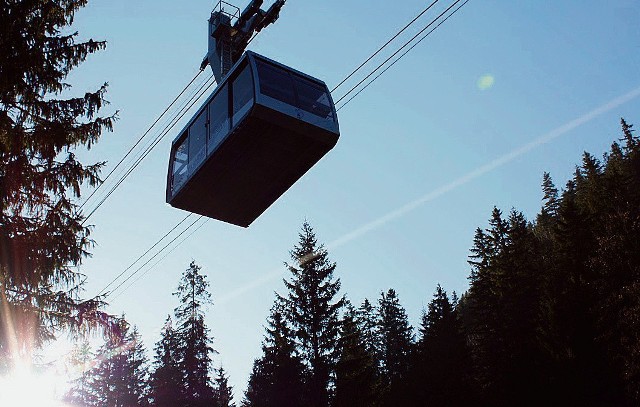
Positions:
(357, 382)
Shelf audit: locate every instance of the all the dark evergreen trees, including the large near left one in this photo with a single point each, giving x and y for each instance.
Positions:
(551, 315)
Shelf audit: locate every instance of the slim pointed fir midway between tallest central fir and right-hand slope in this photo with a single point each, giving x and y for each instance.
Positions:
(396, 346)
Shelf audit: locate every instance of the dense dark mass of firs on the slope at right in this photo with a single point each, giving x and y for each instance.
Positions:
(551, 314)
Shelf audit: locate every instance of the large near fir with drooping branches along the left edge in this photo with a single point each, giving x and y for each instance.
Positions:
(42, 234)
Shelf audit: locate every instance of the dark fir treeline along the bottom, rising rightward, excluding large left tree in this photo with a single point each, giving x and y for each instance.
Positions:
(551, 317)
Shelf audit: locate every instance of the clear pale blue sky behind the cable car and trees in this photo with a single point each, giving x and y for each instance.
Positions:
(424, 154)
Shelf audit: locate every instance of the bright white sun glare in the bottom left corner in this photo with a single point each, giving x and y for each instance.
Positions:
(26, 388)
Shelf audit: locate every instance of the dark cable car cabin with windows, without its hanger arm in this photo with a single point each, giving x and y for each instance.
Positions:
(262, 129)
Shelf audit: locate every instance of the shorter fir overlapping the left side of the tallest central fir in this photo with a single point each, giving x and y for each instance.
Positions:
(277, 378)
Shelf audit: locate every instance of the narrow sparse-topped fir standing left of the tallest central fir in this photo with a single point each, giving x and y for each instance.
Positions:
(194, 350)
